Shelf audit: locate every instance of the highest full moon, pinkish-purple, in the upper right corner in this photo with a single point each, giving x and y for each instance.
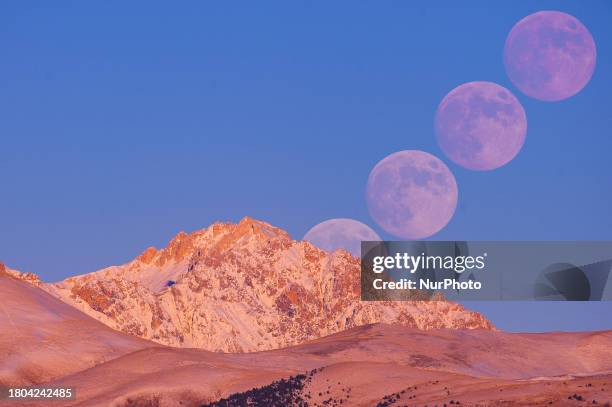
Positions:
(550, 55)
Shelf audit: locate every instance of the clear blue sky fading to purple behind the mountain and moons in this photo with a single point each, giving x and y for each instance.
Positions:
(123, 123)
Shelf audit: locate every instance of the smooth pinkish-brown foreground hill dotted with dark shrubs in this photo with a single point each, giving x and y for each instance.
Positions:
(374, 365)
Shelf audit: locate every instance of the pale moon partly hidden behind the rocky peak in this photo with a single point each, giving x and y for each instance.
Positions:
(341, 233)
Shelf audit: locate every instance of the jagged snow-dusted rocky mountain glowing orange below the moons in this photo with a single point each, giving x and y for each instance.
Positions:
(240, 288)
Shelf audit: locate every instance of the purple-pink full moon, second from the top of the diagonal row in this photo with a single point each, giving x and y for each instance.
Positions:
(480, 125)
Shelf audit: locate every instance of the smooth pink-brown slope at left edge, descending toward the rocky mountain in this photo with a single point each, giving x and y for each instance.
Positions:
(42, 338)
